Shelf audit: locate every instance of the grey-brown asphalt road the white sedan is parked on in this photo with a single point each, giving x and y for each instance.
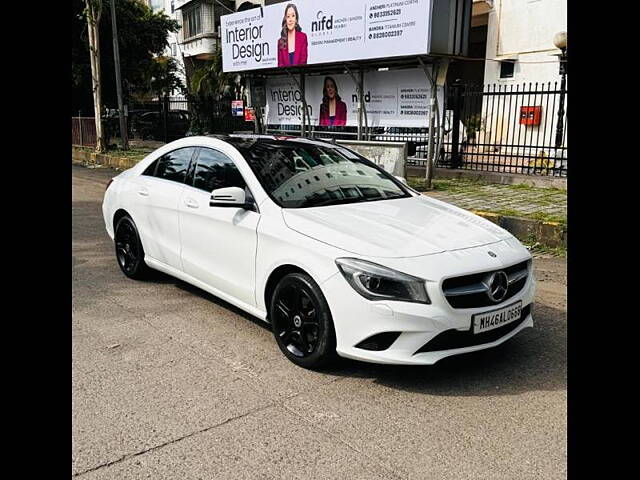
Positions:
(170, 382)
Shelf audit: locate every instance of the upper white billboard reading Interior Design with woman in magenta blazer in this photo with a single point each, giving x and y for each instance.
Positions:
(307, 32)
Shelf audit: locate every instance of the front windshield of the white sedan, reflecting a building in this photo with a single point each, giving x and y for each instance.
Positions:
(299, 174)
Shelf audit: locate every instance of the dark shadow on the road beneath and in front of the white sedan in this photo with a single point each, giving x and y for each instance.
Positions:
(533, 360)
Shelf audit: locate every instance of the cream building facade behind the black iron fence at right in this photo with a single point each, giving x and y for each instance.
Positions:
(521, 118)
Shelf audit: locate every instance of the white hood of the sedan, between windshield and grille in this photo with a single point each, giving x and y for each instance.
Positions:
(406, 227)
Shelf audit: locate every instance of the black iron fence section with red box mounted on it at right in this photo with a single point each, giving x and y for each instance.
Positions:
(507, 128)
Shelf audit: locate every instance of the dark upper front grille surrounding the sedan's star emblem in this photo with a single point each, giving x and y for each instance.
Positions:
(469, 291)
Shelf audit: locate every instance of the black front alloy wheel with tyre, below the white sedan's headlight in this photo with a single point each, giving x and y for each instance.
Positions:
(301, 322)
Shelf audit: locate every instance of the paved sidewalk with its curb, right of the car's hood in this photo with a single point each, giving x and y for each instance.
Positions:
(536, 216)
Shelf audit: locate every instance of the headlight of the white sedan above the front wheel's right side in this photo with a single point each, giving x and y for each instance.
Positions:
(376, 282)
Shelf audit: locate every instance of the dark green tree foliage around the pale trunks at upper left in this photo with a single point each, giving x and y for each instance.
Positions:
(142, 36)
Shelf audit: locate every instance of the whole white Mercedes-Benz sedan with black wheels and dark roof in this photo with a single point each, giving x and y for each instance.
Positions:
(340, 257)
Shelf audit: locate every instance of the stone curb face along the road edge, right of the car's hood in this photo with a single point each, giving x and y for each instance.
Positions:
(549, 234)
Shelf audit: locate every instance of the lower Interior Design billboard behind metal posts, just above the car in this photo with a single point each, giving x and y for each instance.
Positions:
(396, 98)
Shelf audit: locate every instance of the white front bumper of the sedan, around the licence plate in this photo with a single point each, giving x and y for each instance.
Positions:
(357, 319)
